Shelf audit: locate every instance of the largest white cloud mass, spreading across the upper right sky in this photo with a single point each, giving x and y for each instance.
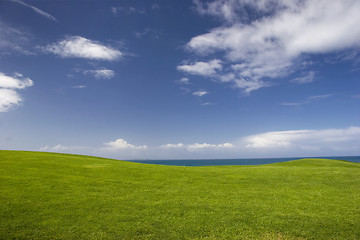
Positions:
(269, 43)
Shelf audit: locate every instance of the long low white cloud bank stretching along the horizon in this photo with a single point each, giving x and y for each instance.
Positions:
(295, 143)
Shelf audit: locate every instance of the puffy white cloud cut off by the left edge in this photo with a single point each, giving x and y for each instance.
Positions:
(9, 85)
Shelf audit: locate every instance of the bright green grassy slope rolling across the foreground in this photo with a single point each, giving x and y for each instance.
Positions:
(59, 196)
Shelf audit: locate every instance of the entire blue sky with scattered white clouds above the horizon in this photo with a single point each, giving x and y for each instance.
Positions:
(181, 79)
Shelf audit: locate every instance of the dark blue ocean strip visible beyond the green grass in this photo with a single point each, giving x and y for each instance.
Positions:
(245, 161)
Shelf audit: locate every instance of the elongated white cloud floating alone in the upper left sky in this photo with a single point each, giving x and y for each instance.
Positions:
(80, 47)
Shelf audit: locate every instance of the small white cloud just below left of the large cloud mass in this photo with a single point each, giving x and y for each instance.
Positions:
(202, 68)
